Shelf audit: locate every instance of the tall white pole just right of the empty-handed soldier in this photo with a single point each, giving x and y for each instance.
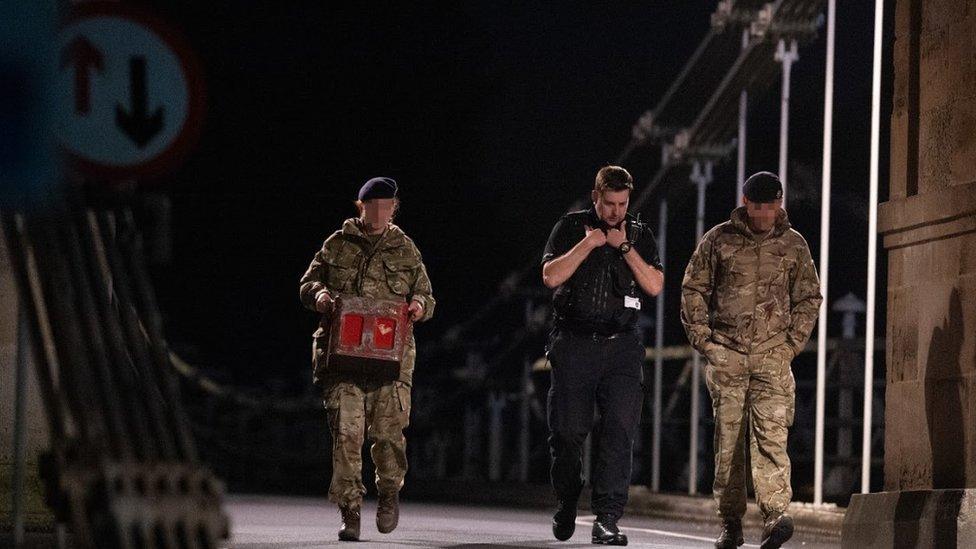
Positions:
(824, 258)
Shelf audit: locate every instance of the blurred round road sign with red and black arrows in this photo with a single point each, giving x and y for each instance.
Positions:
(130, 93)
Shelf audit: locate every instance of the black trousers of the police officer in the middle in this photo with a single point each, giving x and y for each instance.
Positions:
(590, 372)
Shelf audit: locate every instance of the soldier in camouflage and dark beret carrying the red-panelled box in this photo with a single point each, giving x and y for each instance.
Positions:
(369, 257)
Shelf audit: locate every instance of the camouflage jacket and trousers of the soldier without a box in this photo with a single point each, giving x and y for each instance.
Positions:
(749, 303)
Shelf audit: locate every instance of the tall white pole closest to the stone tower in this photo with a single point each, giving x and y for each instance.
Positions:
(872, 246)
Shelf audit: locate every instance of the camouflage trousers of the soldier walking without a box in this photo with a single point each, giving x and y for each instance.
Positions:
(752, 399)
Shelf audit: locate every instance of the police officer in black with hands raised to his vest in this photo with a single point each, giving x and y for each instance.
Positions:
(601, 262)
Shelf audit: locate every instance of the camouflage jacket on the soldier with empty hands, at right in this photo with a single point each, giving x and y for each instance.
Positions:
(750, 292)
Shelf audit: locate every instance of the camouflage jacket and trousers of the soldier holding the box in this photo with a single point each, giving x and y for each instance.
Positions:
(350, 264)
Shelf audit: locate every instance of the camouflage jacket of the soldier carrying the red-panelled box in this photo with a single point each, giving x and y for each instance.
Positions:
(349, 264)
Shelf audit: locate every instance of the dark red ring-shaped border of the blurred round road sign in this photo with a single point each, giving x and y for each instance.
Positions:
(189, 133)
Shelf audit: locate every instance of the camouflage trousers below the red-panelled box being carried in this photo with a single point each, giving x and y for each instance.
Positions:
(379, 412)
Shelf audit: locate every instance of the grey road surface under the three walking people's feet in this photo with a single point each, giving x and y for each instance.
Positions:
(263, 521)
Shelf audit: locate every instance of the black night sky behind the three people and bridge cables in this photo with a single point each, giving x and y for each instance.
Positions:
(493, 119)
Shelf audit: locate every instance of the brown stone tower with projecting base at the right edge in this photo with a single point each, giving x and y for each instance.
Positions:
(928, 226)
